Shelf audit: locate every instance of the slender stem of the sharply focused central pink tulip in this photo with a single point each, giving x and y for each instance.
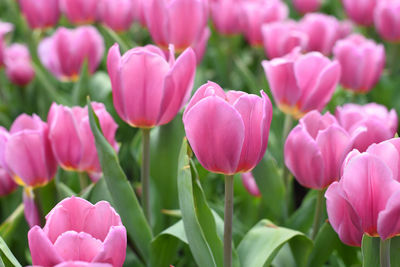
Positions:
(228, 220)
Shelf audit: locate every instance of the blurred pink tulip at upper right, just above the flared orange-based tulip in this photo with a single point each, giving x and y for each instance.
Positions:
(322, 30)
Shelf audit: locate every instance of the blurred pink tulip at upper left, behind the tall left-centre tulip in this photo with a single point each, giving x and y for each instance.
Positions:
(64, 53)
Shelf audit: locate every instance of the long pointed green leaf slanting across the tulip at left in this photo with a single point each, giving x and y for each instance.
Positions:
(123, 196)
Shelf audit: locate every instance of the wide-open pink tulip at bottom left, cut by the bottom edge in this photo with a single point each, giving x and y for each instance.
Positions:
(76, 230)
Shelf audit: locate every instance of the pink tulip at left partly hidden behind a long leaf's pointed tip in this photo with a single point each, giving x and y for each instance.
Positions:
(72, 140)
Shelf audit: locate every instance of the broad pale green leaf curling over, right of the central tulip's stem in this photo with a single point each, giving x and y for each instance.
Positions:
(262, 243)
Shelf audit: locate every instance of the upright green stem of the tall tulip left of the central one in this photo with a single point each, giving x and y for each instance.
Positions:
(146, 173)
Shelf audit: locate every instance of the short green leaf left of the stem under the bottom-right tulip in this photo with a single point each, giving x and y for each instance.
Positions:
(370, 251)
